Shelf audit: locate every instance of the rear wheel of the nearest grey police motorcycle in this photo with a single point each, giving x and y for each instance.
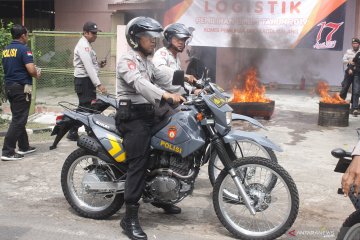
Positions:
(81, 165)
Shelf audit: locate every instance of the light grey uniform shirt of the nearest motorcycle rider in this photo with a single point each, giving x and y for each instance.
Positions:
(134, 79)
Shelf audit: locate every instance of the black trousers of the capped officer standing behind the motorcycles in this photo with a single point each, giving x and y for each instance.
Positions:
(86, 92)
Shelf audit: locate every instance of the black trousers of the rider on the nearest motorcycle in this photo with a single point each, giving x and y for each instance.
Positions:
(136, 132)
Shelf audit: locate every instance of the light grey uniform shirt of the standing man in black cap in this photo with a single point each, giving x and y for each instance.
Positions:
(85, 61)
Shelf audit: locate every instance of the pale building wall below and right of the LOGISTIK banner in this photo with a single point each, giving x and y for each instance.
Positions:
(290, 66)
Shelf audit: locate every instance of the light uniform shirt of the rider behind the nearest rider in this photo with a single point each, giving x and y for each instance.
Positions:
(165, 61)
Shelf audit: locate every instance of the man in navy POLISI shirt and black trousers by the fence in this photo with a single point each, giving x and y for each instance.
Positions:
(19, 69)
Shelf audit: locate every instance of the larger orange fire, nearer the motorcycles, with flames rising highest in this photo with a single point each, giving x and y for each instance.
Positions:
(251, 91)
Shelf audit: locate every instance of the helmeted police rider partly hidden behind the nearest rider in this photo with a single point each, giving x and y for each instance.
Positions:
(167, 58)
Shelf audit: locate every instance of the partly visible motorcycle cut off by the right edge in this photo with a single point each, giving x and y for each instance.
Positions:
(350, 229)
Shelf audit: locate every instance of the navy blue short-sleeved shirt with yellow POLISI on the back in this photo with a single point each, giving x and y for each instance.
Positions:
(14, 58)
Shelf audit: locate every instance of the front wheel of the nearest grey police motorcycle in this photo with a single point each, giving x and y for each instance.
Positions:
(276, 208)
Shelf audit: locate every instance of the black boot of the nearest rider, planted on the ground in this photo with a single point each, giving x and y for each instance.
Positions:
(130, 223)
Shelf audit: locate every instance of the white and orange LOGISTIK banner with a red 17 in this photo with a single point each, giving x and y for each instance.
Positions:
(285, 24)
